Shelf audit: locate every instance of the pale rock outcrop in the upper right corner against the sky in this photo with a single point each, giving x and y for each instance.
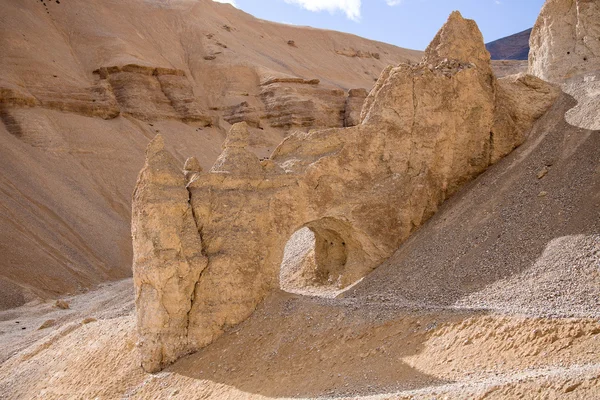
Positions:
(565, 40)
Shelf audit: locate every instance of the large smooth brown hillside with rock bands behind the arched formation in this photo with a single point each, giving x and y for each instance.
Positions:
(84, 87)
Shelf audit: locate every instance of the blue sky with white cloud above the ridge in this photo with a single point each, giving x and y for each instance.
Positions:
(405, 23)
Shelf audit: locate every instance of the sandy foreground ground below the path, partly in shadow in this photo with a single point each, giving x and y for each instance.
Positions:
(301, 347)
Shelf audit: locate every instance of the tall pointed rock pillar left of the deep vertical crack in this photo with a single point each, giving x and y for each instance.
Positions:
(167, 257)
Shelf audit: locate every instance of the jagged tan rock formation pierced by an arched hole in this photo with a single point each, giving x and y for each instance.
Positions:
(426, 130)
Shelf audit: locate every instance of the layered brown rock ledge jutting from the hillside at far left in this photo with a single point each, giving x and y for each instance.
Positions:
(147, 93)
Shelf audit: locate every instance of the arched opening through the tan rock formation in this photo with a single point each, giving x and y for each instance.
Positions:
(315, 262)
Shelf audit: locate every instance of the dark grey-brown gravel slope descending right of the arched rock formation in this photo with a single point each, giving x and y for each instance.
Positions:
(545, 194)
